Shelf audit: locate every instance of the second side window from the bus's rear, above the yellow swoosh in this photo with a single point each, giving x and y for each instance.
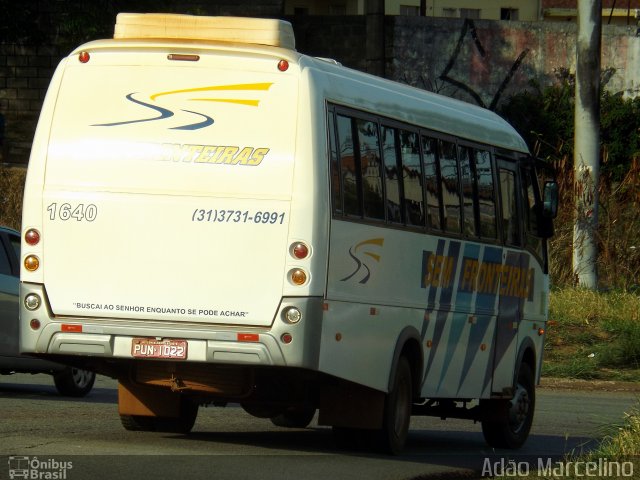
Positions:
(369, 153)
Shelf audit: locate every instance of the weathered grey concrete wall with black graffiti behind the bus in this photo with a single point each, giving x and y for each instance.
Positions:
(484, 61)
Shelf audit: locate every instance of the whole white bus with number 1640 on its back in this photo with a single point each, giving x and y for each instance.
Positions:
(213, 217)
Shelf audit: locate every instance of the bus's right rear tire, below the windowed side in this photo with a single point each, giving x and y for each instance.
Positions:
(397, 410)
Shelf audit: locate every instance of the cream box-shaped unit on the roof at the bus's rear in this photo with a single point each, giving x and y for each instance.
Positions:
(263, 31)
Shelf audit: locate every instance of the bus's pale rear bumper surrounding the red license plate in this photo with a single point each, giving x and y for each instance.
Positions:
(110, 338)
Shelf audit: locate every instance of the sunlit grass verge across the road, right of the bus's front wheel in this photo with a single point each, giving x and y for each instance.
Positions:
(593, 335)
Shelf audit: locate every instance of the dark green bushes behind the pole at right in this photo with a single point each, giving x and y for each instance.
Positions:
(545, 120)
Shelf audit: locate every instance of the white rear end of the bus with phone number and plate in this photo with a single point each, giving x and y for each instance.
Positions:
(156, 228)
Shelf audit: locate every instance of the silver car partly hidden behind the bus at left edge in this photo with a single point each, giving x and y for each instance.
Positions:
(69, 381)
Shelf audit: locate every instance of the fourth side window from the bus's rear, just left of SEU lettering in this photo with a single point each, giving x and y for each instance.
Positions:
(412, 178)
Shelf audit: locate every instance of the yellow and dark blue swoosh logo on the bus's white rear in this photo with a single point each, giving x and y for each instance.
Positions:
(203, 120)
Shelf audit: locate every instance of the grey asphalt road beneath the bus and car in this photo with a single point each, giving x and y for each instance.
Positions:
(80, 439)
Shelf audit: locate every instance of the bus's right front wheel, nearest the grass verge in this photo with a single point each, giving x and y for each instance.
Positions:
(509, 421)
